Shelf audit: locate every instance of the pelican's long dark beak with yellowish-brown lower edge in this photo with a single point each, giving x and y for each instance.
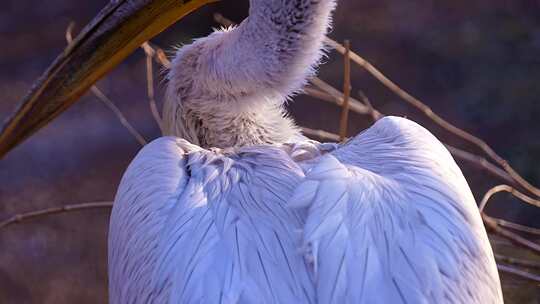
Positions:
(120, 28)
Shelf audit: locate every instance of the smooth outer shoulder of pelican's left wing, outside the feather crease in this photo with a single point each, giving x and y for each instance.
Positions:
(148, 192)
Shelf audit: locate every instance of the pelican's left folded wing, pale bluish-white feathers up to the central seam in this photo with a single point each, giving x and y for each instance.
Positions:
(219, 232)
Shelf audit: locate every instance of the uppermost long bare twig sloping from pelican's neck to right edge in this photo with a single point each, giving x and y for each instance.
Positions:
(434, 117)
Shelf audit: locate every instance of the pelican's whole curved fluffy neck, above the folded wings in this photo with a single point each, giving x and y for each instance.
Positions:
(229, 88)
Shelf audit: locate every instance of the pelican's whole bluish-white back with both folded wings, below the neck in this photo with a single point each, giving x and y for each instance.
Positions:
(386, 218)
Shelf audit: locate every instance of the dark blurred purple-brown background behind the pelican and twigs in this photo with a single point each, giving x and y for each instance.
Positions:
(474, 62)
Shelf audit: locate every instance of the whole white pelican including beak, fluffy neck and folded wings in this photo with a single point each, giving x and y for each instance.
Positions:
(235, 205)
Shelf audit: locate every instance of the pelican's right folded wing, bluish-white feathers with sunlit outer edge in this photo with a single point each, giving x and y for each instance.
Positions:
(391, 220)
